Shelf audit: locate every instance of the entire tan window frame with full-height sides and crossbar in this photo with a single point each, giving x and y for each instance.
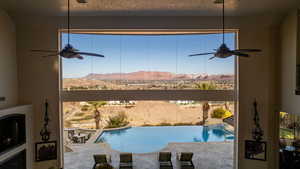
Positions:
(186, 94)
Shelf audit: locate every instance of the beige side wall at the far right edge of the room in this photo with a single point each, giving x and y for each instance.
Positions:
(289, 101)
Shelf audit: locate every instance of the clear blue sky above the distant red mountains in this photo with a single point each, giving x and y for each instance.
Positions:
(131, 53)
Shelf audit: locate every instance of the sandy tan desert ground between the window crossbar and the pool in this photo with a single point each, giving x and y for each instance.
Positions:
(141, 113)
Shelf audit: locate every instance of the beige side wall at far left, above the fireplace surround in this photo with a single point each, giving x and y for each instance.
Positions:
(8, 61)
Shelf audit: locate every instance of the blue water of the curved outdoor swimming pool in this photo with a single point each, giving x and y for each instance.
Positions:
(151, 139)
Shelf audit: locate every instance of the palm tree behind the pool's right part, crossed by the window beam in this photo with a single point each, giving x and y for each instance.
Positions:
(205, 105)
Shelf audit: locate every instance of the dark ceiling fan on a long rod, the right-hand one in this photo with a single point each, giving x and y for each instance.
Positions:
(223, 51)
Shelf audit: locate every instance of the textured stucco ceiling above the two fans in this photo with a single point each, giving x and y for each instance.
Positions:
(148, 7)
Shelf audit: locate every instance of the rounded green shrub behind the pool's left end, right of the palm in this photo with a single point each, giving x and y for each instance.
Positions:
(119, 120)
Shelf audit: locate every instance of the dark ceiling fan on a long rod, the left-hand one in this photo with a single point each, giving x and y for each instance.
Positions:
(68, 51)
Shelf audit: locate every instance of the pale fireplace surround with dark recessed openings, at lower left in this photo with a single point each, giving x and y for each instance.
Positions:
(16, 138)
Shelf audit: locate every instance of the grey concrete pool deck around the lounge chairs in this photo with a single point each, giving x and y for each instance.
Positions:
(210, 155)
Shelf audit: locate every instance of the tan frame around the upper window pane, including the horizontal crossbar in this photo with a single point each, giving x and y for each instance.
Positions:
(186, 94)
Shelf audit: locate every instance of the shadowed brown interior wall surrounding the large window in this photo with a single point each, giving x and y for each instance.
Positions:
(39, 77)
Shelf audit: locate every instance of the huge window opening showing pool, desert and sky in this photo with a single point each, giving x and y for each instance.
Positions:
(147, 96)
